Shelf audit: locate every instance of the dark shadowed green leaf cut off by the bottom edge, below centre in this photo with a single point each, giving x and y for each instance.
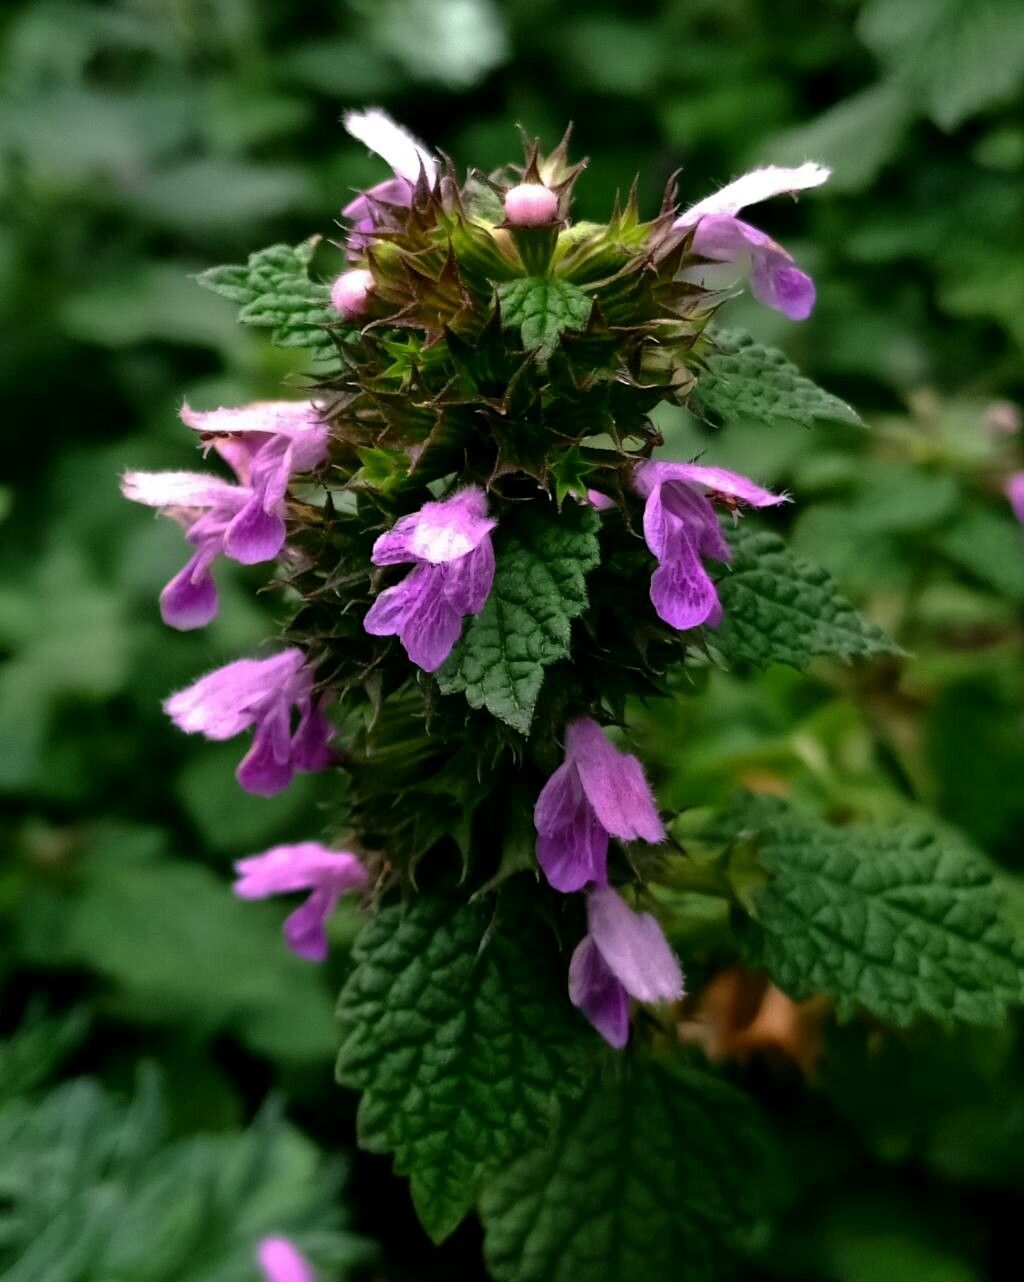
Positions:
(654, 1175)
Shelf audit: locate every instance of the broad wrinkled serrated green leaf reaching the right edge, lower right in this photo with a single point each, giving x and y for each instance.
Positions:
(899, 921)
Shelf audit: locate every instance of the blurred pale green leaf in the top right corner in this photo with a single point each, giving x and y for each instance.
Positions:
(955, 58)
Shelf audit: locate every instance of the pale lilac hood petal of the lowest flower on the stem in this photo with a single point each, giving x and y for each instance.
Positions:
(634, 948)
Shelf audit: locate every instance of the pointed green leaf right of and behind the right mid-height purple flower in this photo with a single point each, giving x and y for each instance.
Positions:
(781, 608)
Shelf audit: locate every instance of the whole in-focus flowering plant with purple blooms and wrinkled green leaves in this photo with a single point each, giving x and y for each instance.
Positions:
(485, 562)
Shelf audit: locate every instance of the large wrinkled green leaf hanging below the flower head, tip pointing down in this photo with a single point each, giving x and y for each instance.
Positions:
(458, 1029)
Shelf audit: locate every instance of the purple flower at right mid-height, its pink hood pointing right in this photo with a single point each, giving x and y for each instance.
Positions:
(681, 528)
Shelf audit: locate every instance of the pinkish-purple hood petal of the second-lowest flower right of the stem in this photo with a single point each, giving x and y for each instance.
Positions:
(615, 784)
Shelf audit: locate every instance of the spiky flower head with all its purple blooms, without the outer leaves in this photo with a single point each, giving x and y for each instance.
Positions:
(484, 487)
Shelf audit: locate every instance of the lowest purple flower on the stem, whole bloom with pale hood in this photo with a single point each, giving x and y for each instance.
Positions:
(623, 956)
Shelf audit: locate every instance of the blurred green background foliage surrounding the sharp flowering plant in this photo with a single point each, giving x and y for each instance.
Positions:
(145, 140)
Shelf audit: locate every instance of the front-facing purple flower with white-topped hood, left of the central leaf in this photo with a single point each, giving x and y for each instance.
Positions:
(450, 545)
